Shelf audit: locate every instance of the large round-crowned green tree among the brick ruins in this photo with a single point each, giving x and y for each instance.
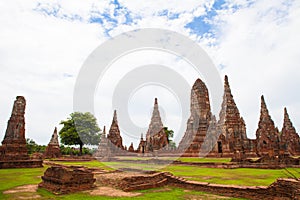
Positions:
(79, 129)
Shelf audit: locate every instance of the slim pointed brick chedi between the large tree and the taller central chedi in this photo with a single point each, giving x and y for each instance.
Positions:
(114, 133)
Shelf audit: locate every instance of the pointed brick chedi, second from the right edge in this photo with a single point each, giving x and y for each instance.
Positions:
(267, 135)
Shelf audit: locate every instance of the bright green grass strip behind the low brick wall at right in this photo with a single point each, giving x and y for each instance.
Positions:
(240, 176)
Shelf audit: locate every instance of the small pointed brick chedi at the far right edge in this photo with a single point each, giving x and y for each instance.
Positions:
(289, 138)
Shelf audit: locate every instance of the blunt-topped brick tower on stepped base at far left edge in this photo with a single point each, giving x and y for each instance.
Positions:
(13, 152)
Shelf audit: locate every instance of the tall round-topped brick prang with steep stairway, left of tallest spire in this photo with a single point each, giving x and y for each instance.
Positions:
(198, 122)
